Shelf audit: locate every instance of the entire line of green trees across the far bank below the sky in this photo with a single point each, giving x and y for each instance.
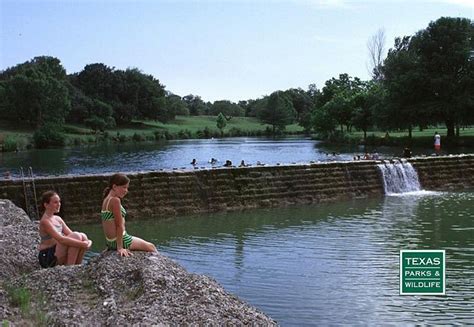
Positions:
(426, 79)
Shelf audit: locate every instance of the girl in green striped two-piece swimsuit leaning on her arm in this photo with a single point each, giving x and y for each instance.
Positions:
(113, 219)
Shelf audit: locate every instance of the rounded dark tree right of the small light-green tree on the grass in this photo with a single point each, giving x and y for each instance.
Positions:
(278, 111)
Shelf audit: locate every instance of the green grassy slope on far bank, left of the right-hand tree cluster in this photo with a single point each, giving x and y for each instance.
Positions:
(183, 127)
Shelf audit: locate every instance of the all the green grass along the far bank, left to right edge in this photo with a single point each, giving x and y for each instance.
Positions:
(186, 127)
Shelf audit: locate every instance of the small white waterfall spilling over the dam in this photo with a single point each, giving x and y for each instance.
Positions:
(399, 177)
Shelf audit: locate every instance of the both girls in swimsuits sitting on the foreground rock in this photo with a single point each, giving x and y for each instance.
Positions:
(59, 245)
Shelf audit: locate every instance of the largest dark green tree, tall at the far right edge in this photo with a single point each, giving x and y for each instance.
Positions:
(444, 50)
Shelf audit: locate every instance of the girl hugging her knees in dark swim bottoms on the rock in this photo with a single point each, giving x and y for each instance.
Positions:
(59, 245)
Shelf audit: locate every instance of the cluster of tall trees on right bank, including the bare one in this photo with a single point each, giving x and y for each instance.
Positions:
(426, 79)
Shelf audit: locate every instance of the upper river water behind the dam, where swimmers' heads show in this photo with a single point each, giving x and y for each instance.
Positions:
(128, 157)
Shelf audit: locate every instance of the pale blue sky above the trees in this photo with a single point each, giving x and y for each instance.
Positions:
(235, 50)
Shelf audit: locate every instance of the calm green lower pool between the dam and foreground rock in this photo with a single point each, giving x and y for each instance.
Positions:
(328, 264)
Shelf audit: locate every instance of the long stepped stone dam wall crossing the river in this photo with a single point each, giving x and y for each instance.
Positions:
(165, 194)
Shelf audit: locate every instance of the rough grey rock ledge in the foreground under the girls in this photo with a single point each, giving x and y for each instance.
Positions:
(145, 289)
